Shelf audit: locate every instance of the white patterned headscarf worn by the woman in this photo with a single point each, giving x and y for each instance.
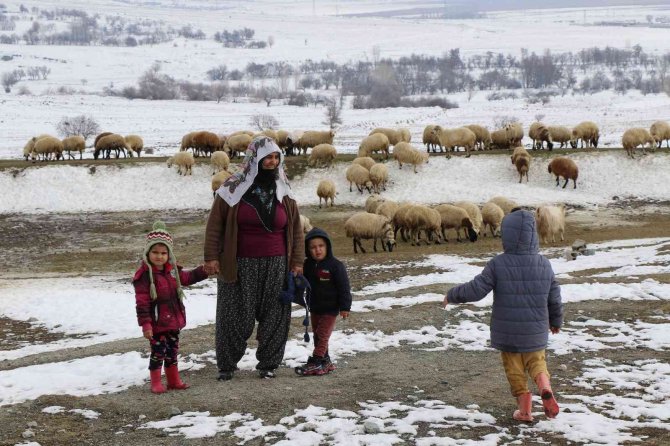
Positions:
(237, 184)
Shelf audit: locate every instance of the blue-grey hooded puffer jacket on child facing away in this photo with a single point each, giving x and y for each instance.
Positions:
(526, 296)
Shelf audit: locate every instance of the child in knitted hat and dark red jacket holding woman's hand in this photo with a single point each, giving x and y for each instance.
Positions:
(160, 307)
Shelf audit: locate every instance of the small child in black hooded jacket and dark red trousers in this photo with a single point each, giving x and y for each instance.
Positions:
(330, 295)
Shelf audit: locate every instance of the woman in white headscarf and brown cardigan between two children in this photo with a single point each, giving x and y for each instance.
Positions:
(253, 237)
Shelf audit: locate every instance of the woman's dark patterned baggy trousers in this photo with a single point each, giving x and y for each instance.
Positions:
(254, 297)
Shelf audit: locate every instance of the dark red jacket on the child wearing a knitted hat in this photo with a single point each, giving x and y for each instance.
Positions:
(167, 312)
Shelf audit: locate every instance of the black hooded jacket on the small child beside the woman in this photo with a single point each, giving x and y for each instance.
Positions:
(331, 292)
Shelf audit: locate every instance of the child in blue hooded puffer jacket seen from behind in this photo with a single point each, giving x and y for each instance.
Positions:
(526, 305)
